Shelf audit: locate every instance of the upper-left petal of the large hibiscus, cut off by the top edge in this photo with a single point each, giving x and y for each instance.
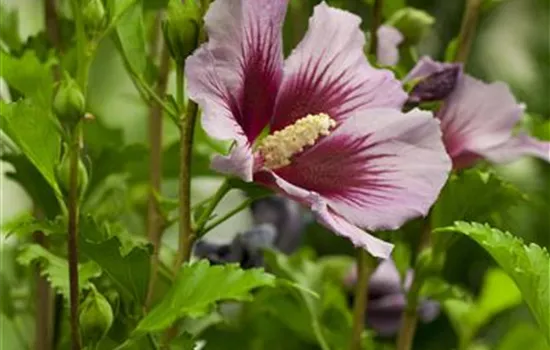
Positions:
(235, 76)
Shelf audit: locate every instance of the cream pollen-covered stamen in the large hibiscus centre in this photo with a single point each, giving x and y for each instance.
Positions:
(278, 148)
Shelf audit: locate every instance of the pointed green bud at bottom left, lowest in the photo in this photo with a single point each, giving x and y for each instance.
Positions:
(96, 317)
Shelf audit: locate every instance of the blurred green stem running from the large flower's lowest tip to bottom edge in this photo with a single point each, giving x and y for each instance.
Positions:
(365, 267)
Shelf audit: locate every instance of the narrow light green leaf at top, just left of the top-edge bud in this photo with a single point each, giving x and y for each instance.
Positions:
(130, 39)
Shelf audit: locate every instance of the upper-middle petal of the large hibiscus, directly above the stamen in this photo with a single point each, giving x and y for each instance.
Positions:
(328, 72)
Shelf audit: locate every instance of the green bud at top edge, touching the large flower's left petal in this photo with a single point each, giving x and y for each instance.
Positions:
(181, 28)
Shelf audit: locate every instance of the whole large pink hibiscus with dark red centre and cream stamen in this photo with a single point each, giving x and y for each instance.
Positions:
(337, 140)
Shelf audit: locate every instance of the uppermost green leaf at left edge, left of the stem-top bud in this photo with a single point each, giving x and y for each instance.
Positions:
(29, 76)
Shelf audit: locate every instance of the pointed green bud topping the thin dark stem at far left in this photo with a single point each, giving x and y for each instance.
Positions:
(69, 102)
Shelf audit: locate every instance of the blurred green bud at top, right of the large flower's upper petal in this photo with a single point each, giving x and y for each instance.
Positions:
(413, 23)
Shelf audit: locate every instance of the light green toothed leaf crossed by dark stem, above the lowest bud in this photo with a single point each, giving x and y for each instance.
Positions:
(56, 269)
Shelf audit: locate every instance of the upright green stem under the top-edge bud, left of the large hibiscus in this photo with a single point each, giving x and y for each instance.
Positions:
(187, 126)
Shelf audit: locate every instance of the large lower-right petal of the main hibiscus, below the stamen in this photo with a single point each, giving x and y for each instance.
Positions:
(377, 169)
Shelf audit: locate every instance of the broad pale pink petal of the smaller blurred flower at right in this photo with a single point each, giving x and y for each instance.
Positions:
(477, 118)
